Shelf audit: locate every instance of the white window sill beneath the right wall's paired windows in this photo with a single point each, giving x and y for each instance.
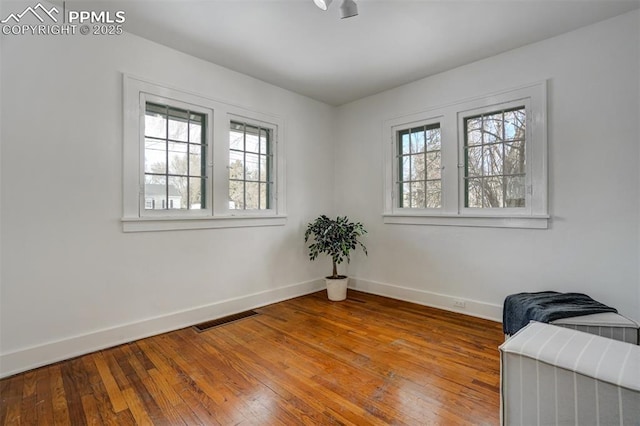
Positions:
(529, 222)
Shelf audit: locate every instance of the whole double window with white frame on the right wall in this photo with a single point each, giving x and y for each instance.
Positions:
(480, 162)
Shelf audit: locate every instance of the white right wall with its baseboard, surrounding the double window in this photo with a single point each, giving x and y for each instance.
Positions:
(592, 244)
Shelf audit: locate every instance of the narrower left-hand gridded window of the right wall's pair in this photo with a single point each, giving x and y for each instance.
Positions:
(419, 167)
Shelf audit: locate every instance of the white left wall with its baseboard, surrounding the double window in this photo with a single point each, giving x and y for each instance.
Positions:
(72, 281)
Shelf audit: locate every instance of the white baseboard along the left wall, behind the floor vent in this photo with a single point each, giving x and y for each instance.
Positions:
(48, 353)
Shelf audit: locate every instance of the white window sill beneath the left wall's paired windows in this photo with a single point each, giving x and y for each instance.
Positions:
(147, 224)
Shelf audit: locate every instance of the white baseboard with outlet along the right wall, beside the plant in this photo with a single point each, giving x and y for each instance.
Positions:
(441, 301)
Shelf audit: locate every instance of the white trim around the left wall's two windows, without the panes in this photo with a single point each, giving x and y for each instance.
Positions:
(217, 214)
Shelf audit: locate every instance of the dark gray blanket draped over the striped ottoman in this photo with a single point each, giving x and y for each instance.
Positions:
(546, 306)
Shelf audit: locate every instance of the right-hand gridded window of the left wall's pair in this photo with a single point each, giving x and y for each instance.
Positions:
(250, 167)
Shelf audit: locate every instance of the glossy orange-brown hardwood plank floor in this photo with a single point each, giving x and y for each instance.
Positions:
(367, 360)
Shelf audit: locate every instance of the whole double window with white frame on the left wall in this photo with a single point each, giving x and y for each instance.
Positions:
(192, 162)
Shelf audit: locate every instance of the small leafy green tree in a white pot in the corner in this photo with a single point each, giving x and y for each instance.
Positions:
(335, 238)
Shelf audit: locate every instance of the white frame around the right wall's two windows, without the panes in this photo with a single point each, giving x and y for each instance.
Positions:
(451, 118)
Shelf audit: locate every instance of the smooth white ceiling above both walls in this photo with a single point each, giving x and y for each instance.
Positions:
(295, 45)
